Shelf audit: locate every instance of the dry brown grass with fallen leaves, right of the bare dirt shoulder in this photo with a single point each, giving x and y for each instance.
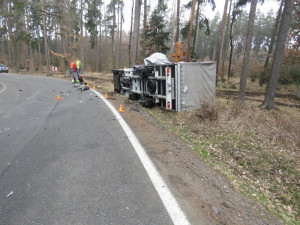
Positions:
(260, 148)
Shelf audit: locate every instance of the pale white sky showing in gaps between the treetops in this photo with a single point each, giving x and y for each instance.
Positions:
(267, 6)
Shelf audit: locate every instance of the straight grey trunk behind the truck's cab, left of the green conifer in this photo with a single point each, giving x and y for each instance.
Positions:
(137, 15)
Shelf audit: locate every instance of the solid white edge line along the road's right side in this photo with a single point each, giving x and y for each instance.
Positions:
(177, 215)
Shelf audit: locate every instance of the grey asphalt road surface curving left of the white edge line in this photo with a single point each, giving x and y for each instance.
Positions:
(68, 161)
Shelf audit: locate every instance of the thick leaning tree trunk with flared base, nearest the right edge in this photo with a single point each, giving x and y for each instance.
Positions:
(278, 54)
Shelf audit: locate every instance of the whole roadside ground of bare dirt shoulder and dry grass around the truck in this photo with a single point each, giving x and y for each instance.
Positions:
(226, 164)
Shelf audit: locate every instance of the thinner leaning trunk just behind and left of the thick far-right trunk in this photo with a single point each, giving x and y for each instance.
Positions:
(263, 74)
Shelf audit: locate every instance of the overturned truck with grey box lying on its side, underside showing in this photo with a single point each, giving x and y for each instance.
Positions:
(173, 86)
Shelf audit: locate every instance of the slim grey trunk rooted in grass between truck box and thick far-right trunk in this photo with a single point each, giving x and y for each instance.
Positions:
(246, 60)
